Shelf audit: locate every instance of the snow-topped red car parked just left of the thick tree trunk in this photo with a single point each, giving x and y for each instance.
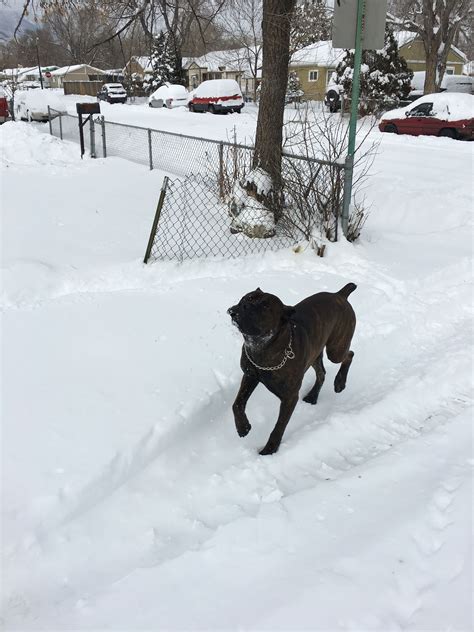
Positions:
(217, 95)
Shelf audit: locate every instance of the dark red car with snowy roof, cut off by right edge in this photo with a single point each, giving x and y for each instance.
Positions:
(441, 114)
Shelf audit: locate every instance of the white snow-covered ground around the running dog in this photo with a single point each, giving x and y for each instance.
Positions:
(129, 501)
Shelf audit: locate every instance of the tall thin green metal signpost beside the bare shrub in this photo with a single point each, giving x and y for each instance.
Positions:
(349, 163)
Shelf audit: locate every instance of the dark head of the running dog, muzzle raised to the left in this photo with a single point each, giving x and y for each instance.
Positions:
(259, 314)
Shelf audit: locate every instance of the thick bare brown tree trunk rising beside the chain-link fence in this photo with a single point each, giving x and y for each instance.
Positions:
(276, 43)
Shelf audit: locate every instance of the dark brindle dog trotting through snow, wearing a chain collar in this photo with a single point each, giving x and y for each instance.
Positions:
(282, 342)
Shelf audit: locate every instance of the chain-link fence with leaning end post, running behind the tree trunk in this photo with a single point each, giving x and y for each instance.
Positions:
(194, 216)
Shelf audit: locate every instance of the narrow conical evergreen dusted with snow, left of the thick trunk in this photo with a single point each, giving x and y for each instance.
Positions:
(165, 63)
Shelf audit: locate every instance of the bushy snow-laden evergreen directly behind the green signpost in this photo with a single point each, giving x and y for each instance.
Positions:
(385, 78)
